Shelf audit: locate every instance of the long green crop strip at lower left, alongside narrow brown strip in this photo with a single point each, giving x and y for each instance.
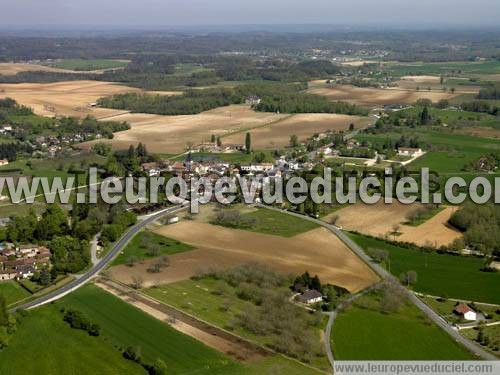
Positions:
(126, 325)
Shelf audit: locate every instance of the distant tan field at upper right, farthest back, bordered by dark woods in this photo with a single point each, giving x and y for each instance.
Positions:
(373, 96)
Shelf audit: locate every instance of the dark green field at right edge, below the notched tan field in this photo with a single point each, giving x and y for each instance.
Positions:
(440, 274)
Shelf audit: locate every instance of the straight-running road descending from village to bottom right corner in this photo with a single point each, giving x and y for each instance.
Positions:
(384, 274)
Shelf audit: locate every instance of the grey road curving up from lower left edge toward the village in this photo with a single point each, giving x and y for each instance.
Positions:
(94, 271)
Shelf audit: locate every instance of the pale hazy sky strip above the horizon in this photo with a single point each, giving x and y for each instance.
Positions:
(230, 12)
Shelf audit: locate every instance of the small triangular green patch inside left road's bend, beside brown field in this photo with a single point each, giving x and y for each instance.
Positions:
(135, 247)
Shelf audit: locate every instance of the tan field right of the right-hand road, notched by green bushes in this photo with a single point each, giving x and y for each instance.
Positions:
(380, 219)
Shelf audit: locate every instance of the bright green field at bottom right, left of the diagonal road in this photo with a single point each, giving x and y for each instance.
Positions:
(364, 333)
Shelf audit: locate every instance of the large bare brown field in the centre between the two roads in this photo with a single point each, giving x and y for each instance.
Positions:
(317, 251)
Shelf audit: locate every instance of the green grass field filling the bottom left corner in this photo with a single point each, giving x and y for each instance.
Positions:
(45, 344)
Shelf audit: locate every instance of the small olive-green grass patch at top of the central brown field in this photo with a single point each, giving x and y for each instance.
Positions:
(278, 224)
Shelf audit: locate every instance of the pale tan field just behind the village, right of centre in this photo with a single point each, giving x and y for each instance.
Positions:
(303, 125)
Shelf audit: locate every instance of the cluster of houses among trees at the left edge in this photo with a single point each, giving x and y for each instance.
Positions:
(21, 262)
